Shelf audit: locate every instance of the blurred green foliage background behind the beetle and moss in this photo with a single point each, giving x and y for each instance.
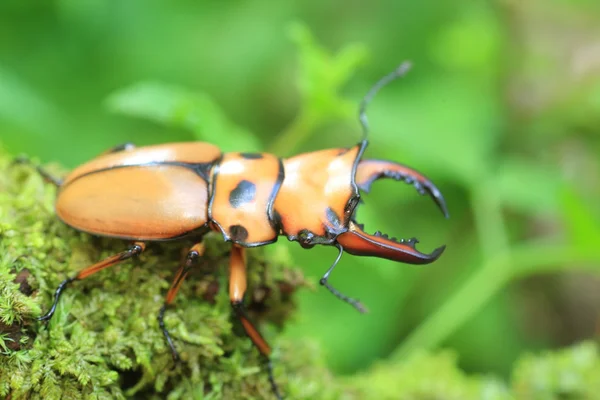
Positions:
(501, 111)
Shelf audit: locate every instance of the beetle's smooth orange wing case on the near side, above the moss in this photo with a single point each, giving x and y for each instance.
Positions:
(149, 202)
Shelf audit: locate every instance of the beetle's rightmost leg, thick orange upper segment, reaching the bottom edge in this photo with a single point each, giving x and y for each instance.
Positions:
(237, 289)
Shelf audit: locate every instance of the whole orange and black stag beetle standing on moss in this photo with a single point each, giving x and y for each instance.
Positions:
(183, 190)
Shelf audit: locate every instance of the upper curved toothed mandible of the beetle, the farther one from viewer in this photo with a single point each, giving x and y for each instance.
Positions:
(369, 171)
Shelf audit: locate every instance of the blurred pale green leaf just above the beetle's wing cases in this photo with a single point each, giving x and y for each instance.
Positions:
(178, 107)
